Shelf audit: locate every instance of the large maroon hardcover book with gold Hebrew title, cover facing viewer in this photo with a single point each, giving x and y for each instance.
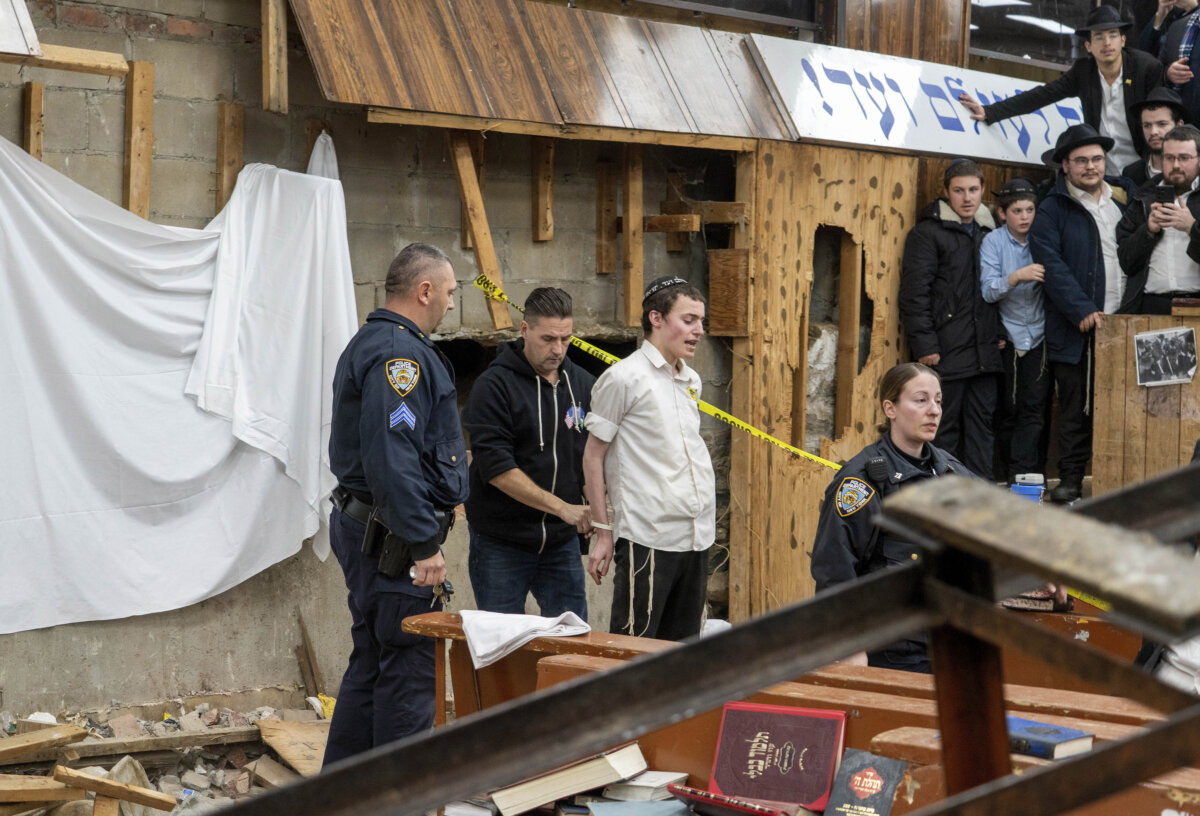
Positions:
(778, 753)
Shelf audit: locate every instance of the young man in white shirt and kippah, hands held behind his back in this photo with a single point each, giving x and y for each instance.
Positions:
(645, 457)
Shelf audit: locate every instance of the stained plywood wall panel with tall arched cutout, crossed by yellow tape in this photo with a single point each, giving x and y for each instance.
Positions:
(873, 197)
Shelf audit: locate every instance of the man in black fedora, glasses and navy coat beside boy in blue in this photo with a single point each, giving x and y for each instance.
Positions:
(1075, 239)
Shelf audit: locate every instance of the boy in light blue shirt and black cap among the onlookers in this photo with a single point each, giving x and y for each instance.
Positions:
(1011, 279)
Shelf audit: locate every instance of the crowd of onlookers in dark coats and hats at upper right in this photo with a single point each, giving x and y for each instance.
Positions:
(1007, 315)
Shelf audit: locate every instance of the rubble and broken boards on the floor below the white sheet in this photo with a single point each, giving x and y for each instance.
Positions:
(194, 763)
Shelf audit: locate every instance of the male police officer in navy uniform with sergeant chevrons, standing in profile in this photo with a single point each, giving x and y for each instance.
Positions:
(398, 451)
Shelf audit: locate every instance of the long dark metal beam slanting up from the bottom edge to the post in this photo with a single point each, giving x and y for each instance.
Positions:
(536, 734)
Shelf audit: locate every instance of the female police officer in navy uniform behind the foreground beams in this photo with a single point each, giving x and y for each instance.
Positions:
(849, 544)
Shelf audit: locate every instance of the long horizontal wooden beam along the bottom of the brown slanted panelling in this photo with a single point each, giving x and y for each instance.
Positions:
(587, 133)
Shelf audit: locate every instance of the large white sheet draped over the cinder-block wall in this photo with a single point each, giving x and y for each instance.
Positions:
(122, 496)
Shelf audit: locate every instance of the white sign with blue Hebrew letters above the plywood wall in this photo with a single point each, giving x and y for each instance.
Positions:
(873, 100)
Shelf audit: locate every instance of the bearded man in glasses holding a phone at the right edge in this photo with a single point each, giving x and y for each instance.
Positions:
(1159, 241)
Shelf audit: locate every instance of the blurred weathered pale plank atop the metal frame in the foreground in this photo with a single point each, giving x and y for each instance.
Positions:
(1153, 587)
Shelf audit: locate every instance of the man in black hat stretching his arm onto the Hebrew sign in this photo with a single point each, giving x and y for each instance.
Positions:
(1109, 80)
